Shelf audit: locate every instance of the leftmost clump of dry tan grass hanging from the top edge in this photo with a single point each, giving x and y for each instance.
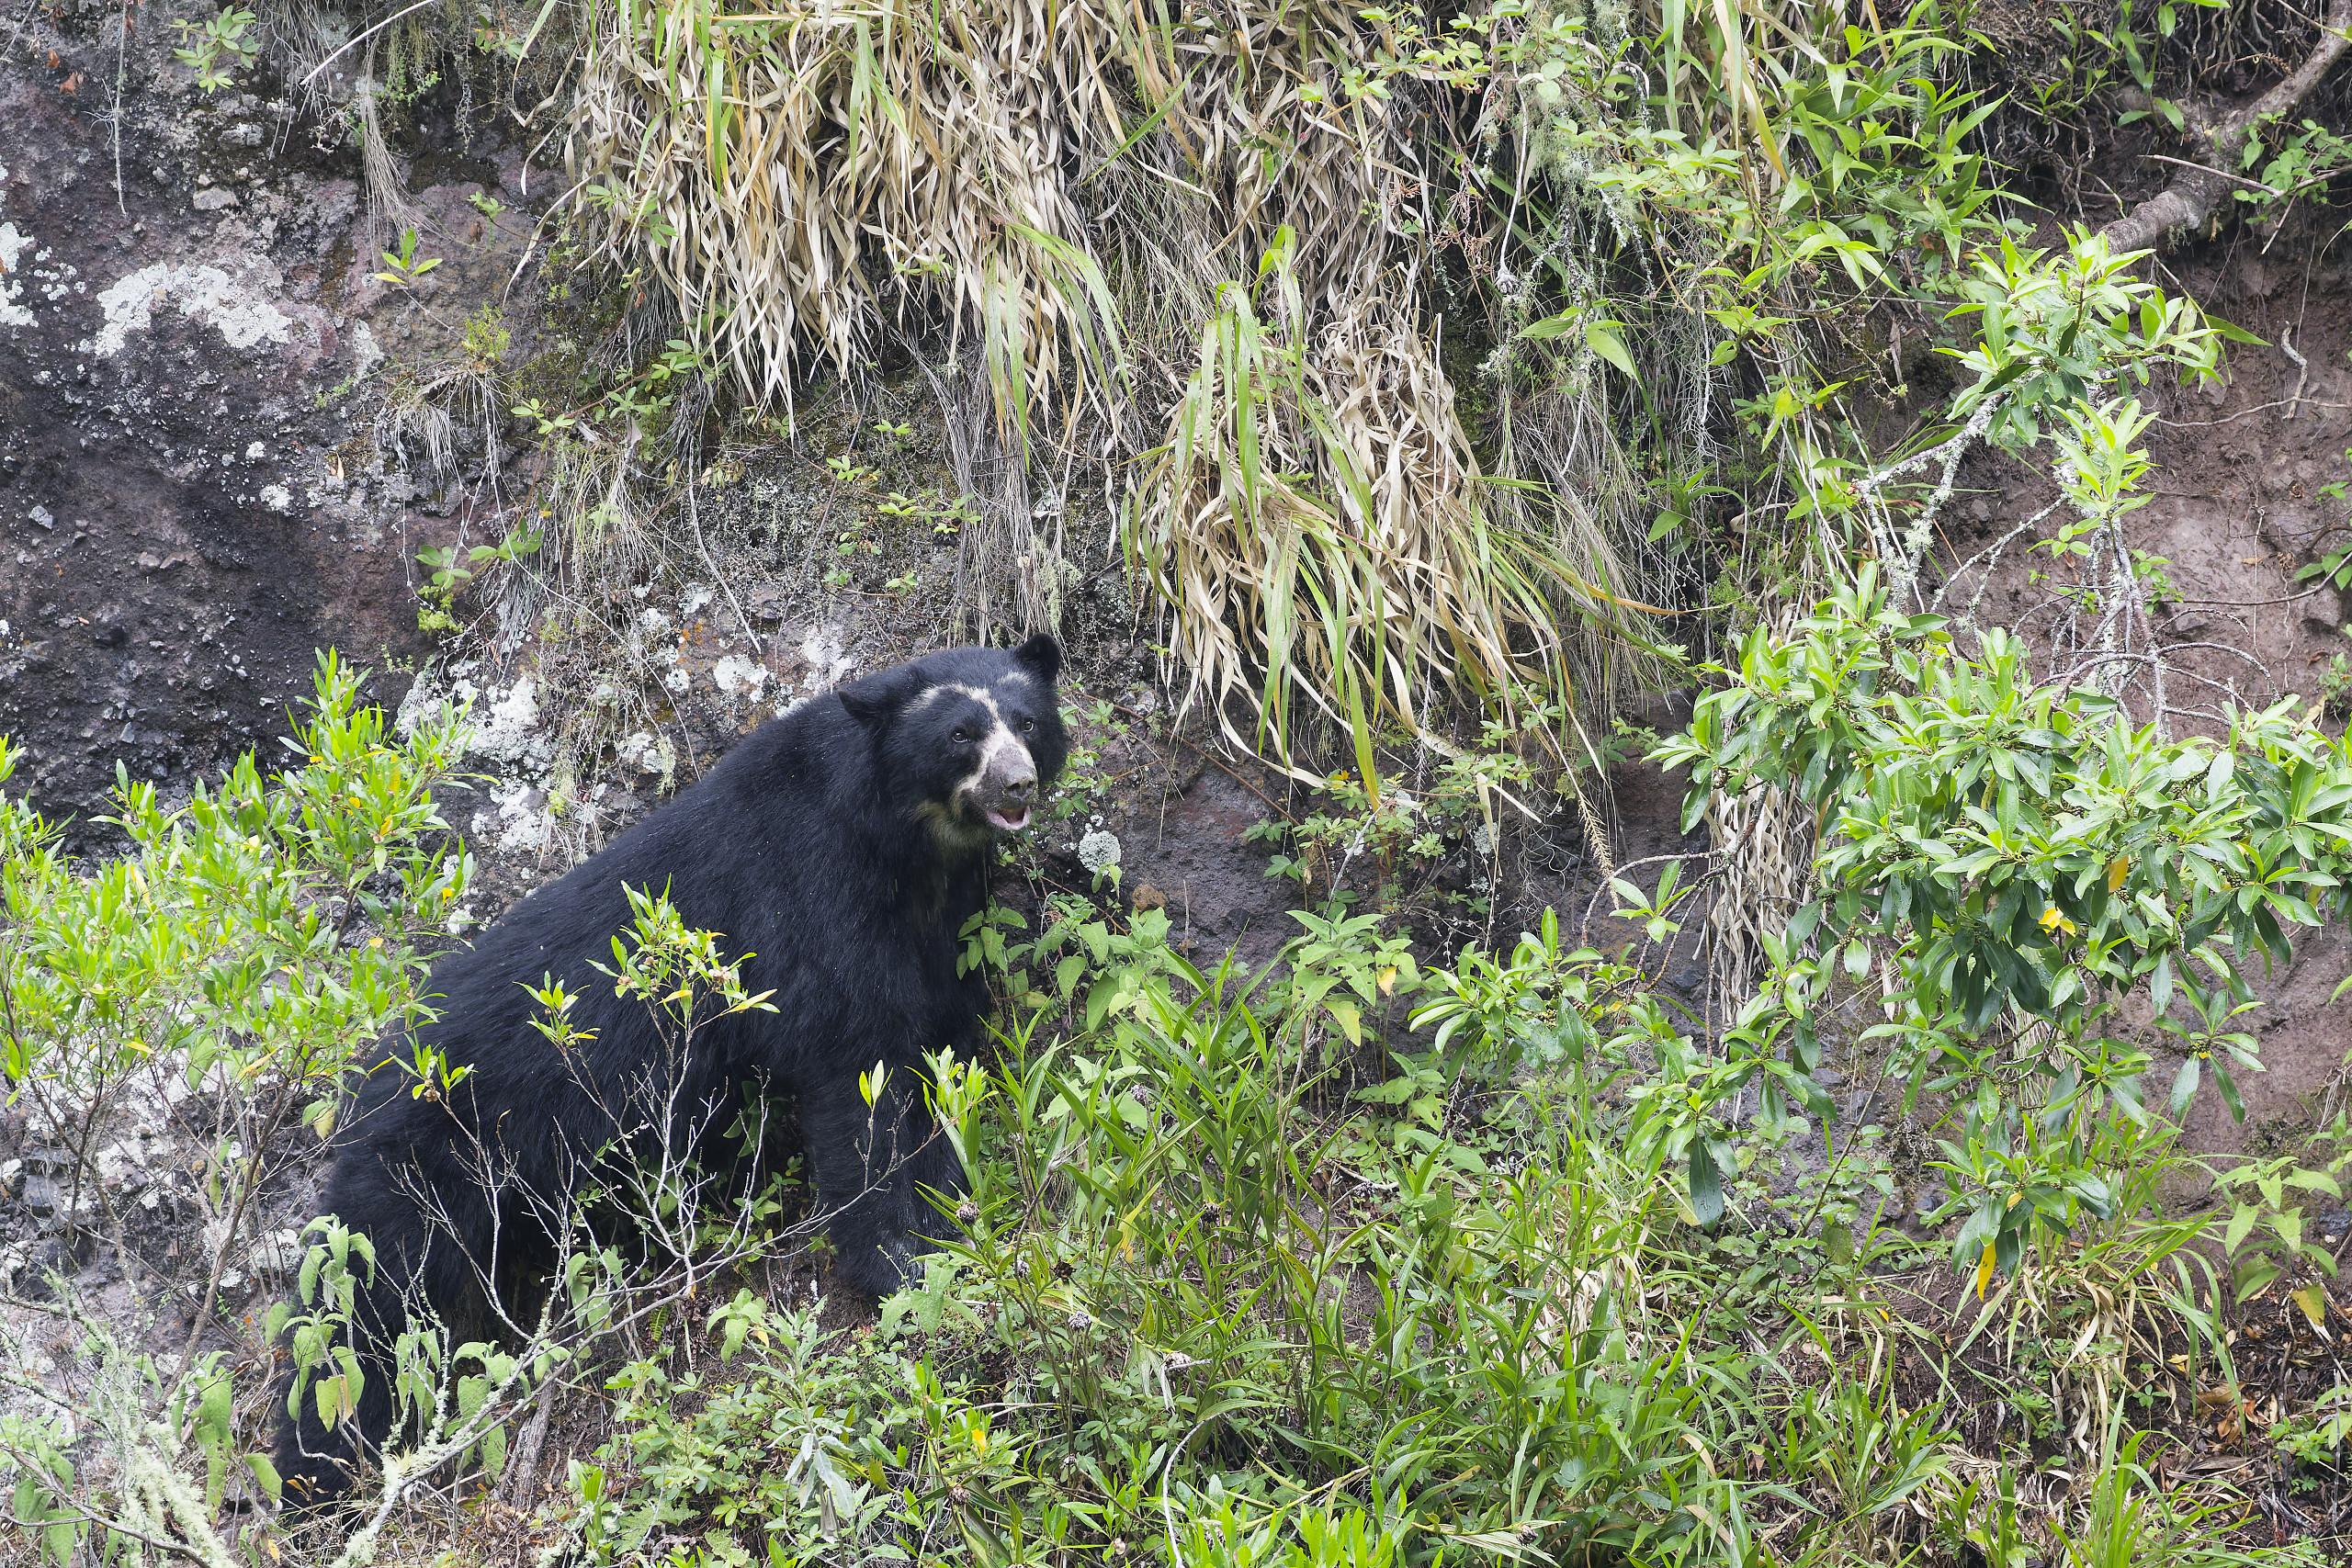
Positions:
(801, 175)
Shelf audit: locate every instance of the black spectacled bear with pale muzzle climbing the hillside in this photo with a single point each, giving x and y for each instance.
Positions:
(843, 845)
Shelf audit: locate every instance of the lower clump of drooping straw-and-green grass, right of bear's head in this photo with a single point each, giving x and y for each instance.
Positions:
(1321, 528)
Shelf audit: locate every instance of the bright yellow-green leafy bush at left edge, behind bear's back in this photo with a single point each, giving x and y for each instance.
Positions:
(218, 944)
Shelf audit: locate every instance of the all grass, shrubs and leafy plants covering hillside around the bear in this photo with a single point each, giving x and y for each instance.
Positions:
(1457, 377)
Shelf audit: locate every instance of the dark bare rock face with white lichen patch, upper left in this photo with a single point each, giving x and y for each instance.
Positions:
(187, 502)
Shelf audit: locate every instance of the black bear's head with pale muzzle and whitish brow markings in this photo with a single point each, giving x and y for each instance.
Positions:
(970, 739)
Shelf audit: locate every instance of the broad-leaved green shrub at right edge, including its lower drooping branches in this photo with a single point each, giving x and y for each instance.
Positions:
(2019, 862)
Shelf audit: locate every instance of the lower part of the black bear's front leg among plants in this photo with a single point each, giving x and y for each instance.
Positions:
(871, 1170)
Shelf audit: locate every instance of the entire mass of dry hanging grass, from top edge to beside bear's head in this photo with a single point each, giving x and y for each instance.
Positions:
(1071, 189)
